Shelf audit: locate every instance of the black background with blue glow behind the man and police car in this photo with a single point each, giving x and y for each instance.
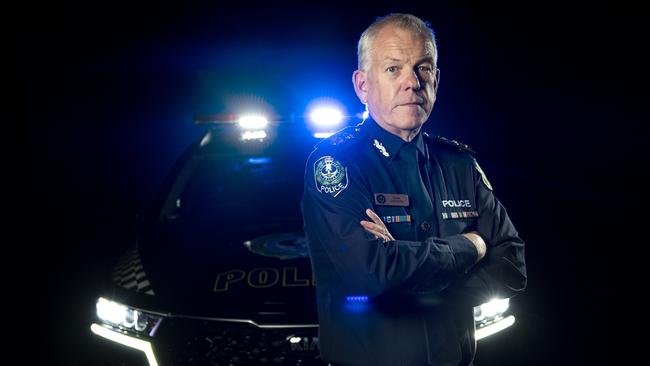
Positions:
(549, 94)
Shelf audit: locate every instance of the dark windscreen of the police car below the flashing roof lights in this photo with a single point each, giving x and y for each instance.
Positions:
(234, 193)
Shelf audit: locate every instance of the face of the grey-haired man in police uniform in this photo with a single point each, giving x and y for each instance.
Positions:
(399, 86)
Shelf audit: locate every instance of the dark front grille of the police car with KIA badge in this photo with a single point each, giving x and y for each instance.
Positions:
(201, 342)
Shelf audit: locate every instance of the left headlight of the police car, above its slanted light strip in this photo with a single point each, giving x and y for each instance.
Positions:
(126, 318)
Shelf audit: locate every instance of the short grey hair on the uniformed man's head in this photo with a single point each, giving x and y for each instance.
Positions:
(404, 21)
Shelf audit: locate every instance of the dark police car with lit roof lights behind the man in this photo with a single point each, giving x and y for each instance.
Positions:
(219, 273)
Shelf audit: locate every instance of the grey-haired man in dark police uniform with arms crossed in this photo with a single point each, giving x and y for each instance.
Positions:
(405, 234)
